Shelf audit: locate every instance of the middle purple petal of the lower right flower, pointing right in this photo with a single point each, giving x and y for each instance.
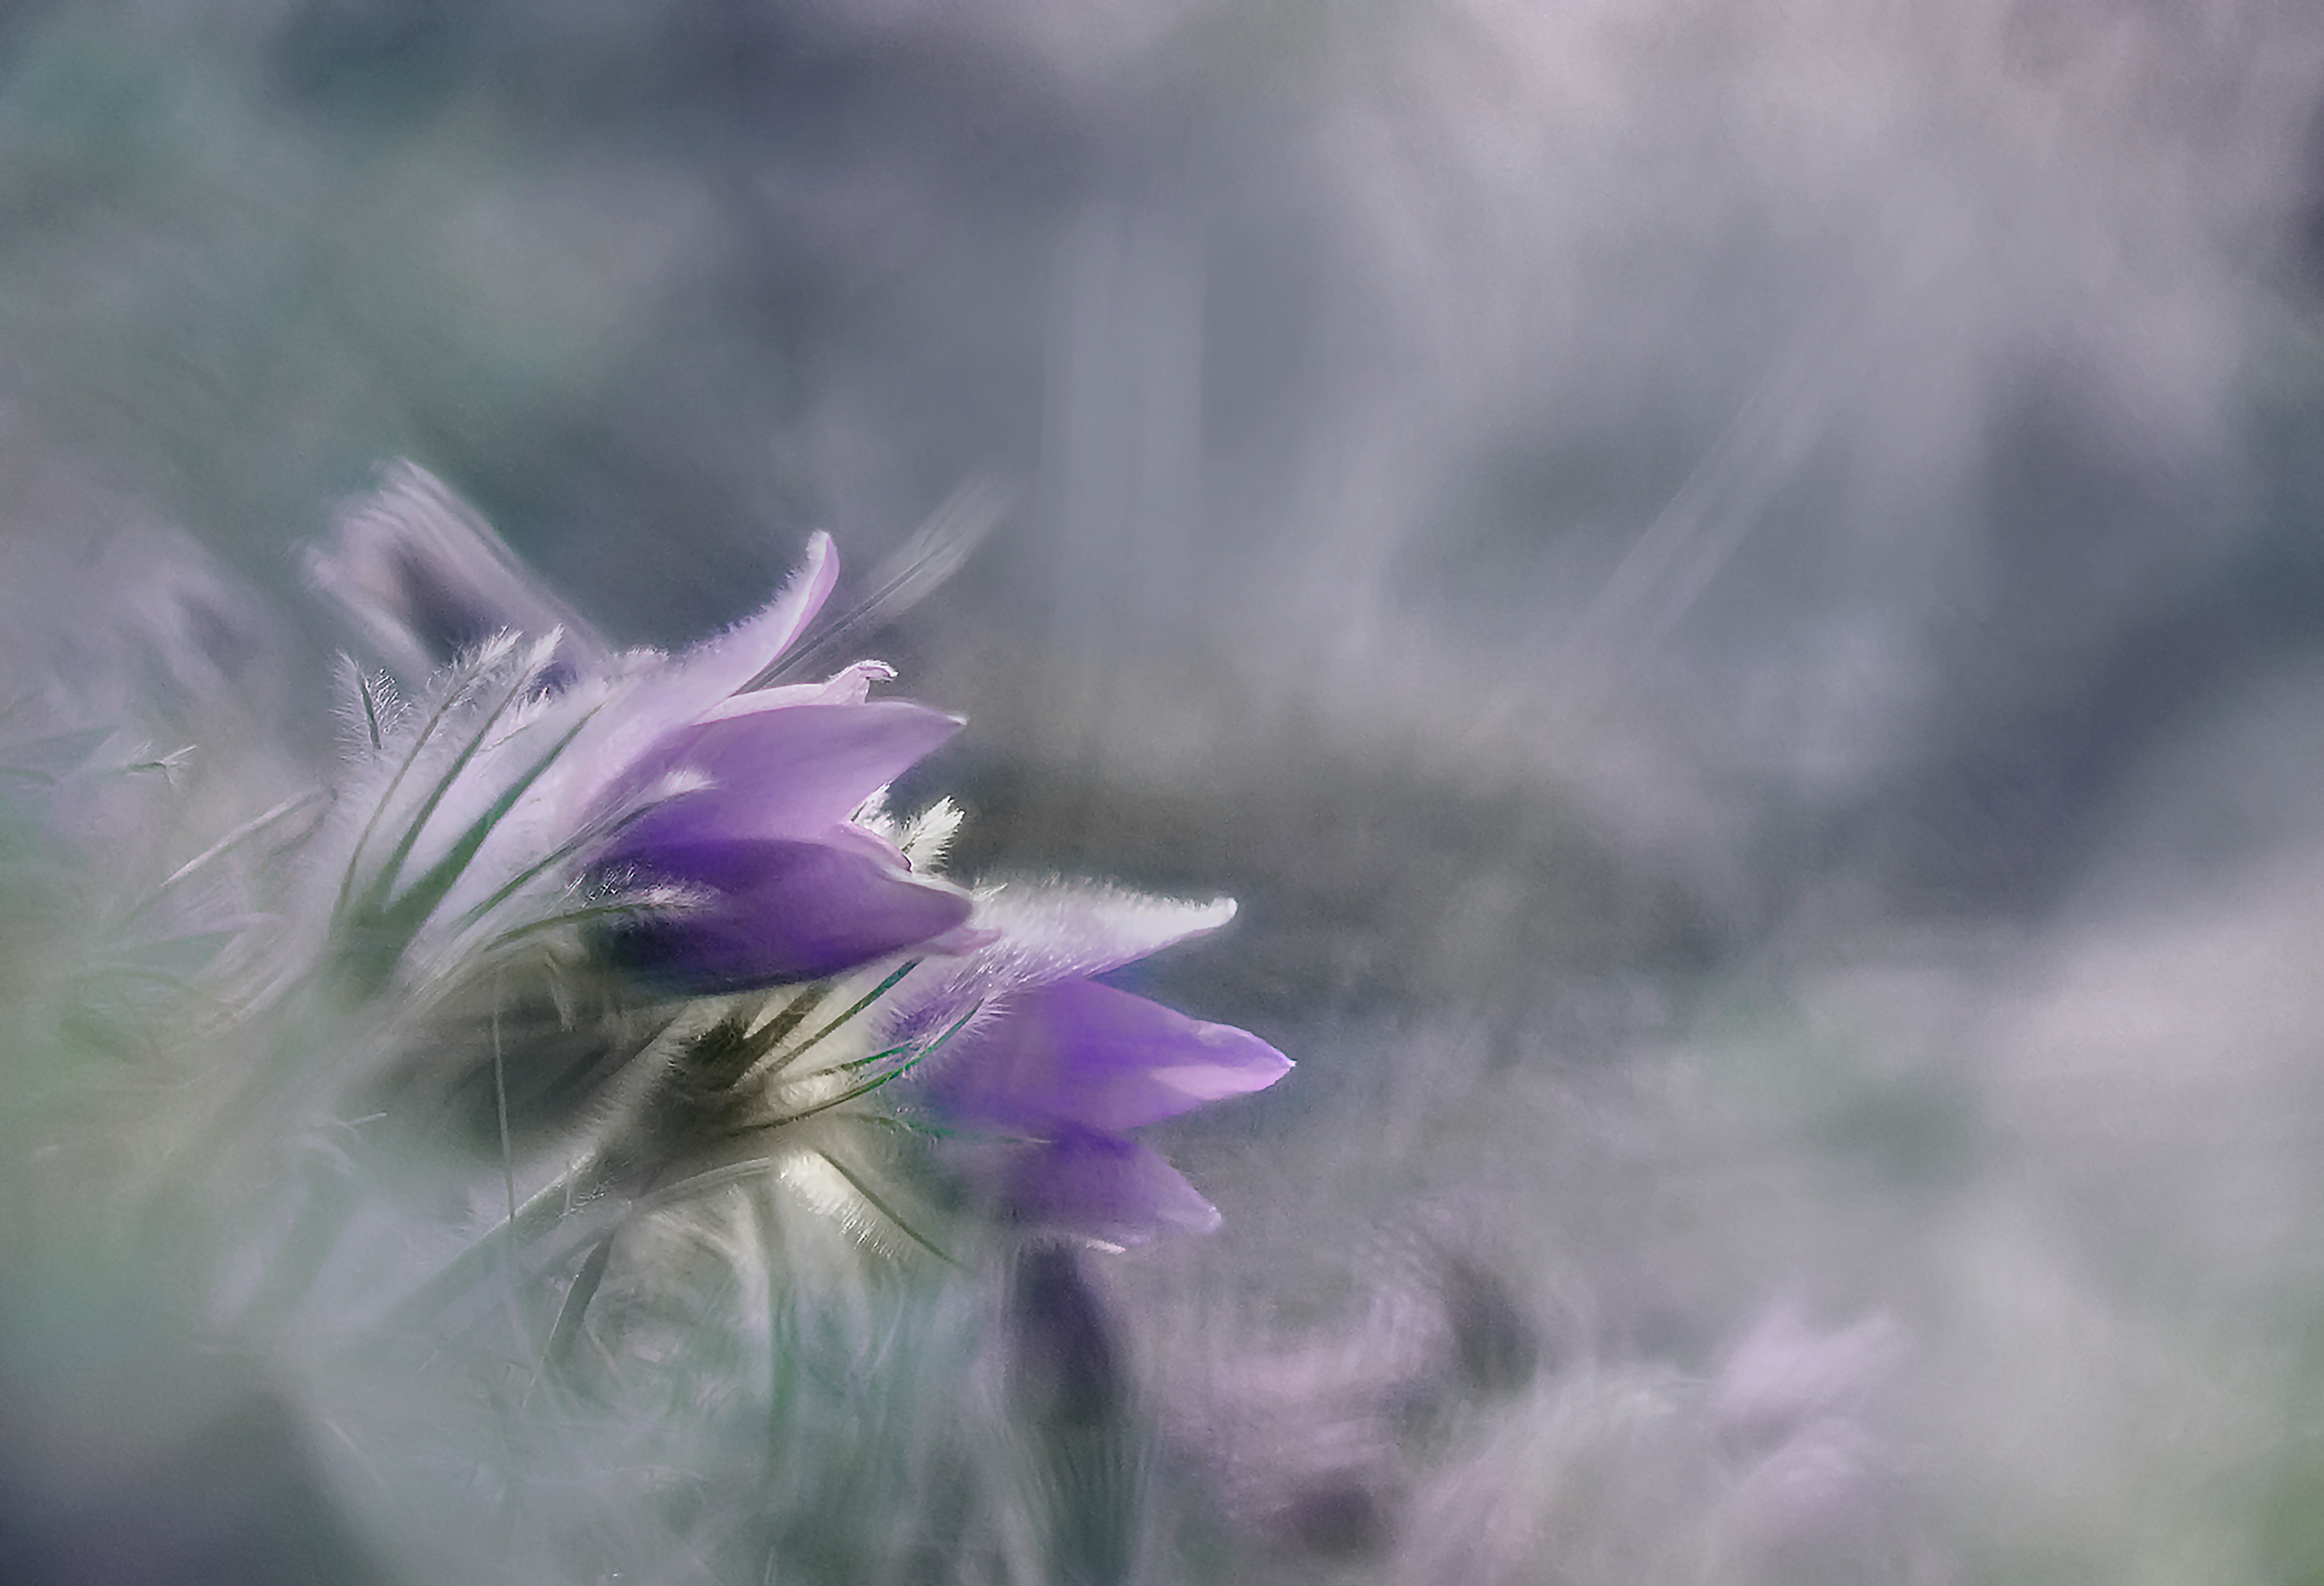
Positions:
(1103, 1059)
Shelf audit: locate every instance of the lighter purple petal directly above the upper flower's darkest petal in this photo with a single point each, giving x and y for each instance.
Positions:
(794, 771)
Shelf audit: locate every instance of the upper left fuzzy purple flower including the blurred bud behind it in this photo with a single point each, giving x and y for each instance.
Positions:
(719, 815)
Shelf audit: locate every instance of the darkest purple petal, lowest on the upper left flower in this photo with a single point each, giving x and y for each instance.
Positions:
(777, 913)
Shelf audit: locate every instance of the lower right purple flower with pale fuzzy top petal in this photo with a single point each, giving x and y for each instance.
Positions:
(1054, 1069)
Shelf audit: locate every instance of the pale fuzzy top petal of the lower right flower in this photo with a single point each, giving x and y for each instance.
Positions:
(1049, 934)
